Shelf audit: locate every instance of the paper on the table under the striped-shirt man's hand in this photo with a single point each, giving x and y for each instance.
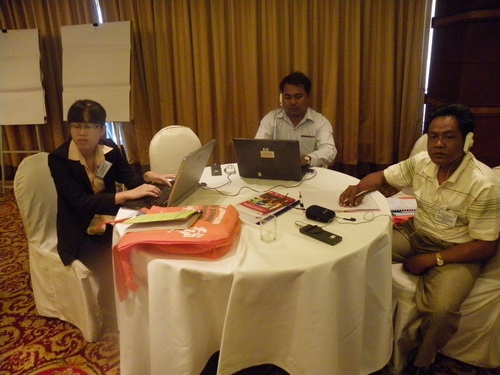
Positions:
(330, 199)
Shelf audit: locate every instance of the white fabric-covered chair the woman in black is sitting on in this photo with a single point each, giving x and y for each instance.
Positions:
(69, 292)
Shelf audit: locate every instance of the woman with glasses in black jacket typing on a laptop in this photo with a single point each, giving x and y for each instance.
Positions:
(86, 169)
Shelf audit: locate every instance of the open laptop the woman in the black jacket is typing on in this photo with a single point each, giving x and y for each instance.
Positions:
(186, 182)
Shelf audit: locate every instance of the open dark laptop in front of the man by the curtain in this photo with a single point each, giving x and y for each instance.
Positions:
(273, 159)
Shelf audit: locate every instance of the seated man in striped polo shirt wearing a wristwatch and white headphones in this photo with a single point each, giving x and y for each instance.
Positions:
(455, 228)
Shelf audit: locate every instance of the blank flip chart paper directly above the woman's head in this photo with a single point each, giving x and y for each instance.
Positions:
(96, 66)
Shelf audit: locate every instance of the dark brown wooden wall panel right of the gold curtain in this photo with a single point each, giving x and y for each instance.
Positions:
(465, 68)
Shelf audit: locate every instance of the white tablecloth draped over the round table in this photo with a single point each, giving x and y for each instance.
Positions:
(305, 306)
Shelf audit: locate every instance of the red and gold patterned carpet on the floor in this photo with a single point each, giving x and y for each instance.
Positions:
(34, 345)
